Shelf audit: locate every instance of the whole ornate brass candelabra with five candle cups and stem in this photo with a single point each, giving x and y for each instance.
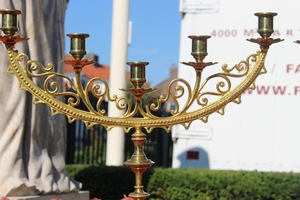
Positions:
(26, 70)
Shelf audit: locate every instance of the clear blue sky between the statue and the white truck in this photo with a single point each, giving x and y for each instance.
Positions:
(155, 32)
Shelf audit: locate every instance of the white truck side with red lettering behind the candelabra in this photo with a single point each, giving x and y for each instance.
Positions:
(263, 132)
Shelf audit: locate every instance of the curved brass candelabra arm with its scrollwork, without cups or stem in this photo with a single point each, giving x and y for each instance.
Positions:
(51, 90)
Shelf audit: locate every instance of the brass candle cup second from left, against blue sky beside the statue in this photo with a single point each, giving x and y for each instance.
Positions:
(77, 49)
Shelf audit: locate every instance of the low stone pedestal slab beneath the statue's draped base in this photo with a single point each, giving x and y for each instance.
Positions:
(82, 195)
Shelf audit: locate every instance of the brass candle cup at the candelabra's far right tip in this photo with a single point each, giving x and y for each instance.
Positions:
(265, 23)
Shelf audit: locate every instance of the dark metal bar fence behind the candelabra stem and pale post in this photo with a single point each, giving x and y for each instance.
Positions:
(88, 146)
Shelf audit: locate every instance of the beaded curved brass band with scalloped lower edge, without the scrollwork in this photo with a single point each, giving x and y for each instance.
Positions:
(91, 118)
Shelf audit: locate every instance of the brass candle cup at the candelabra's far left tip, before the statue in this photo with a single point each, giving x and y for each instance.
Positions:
(9, 21)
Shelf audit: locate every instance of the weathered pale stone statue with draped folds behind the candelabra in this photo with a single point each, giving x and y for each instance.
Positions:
(32, 141)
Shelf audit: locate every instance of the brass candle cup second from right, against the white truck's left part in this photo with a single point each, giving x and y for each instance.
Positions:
(199, 47)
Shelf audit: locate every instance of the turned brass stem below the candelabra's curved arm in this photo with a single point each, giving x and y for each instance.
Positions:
(138, 164)
